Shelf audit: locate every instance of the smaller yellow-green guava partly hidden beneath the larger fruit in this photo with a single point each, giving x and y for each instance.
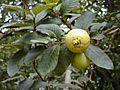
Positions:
(80, 61)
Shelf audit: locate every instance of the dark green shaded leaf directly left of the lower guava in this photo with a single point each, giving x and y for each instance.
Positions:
(64, 60)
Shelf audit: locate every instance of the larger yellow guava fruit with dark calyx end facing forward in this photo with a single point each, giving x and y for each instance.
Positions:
(77, 40)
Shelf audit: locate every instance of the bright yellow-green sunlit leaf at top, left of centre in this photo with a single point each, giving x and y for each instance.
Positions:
(40, 7)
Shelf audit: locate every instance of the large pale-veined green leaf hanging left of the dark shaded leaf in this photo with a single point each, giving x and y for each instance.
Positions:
(49, 60)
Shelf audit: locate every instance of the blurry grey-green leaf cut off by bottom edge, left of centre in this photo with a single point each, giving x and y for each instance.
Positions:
(26, 84)
